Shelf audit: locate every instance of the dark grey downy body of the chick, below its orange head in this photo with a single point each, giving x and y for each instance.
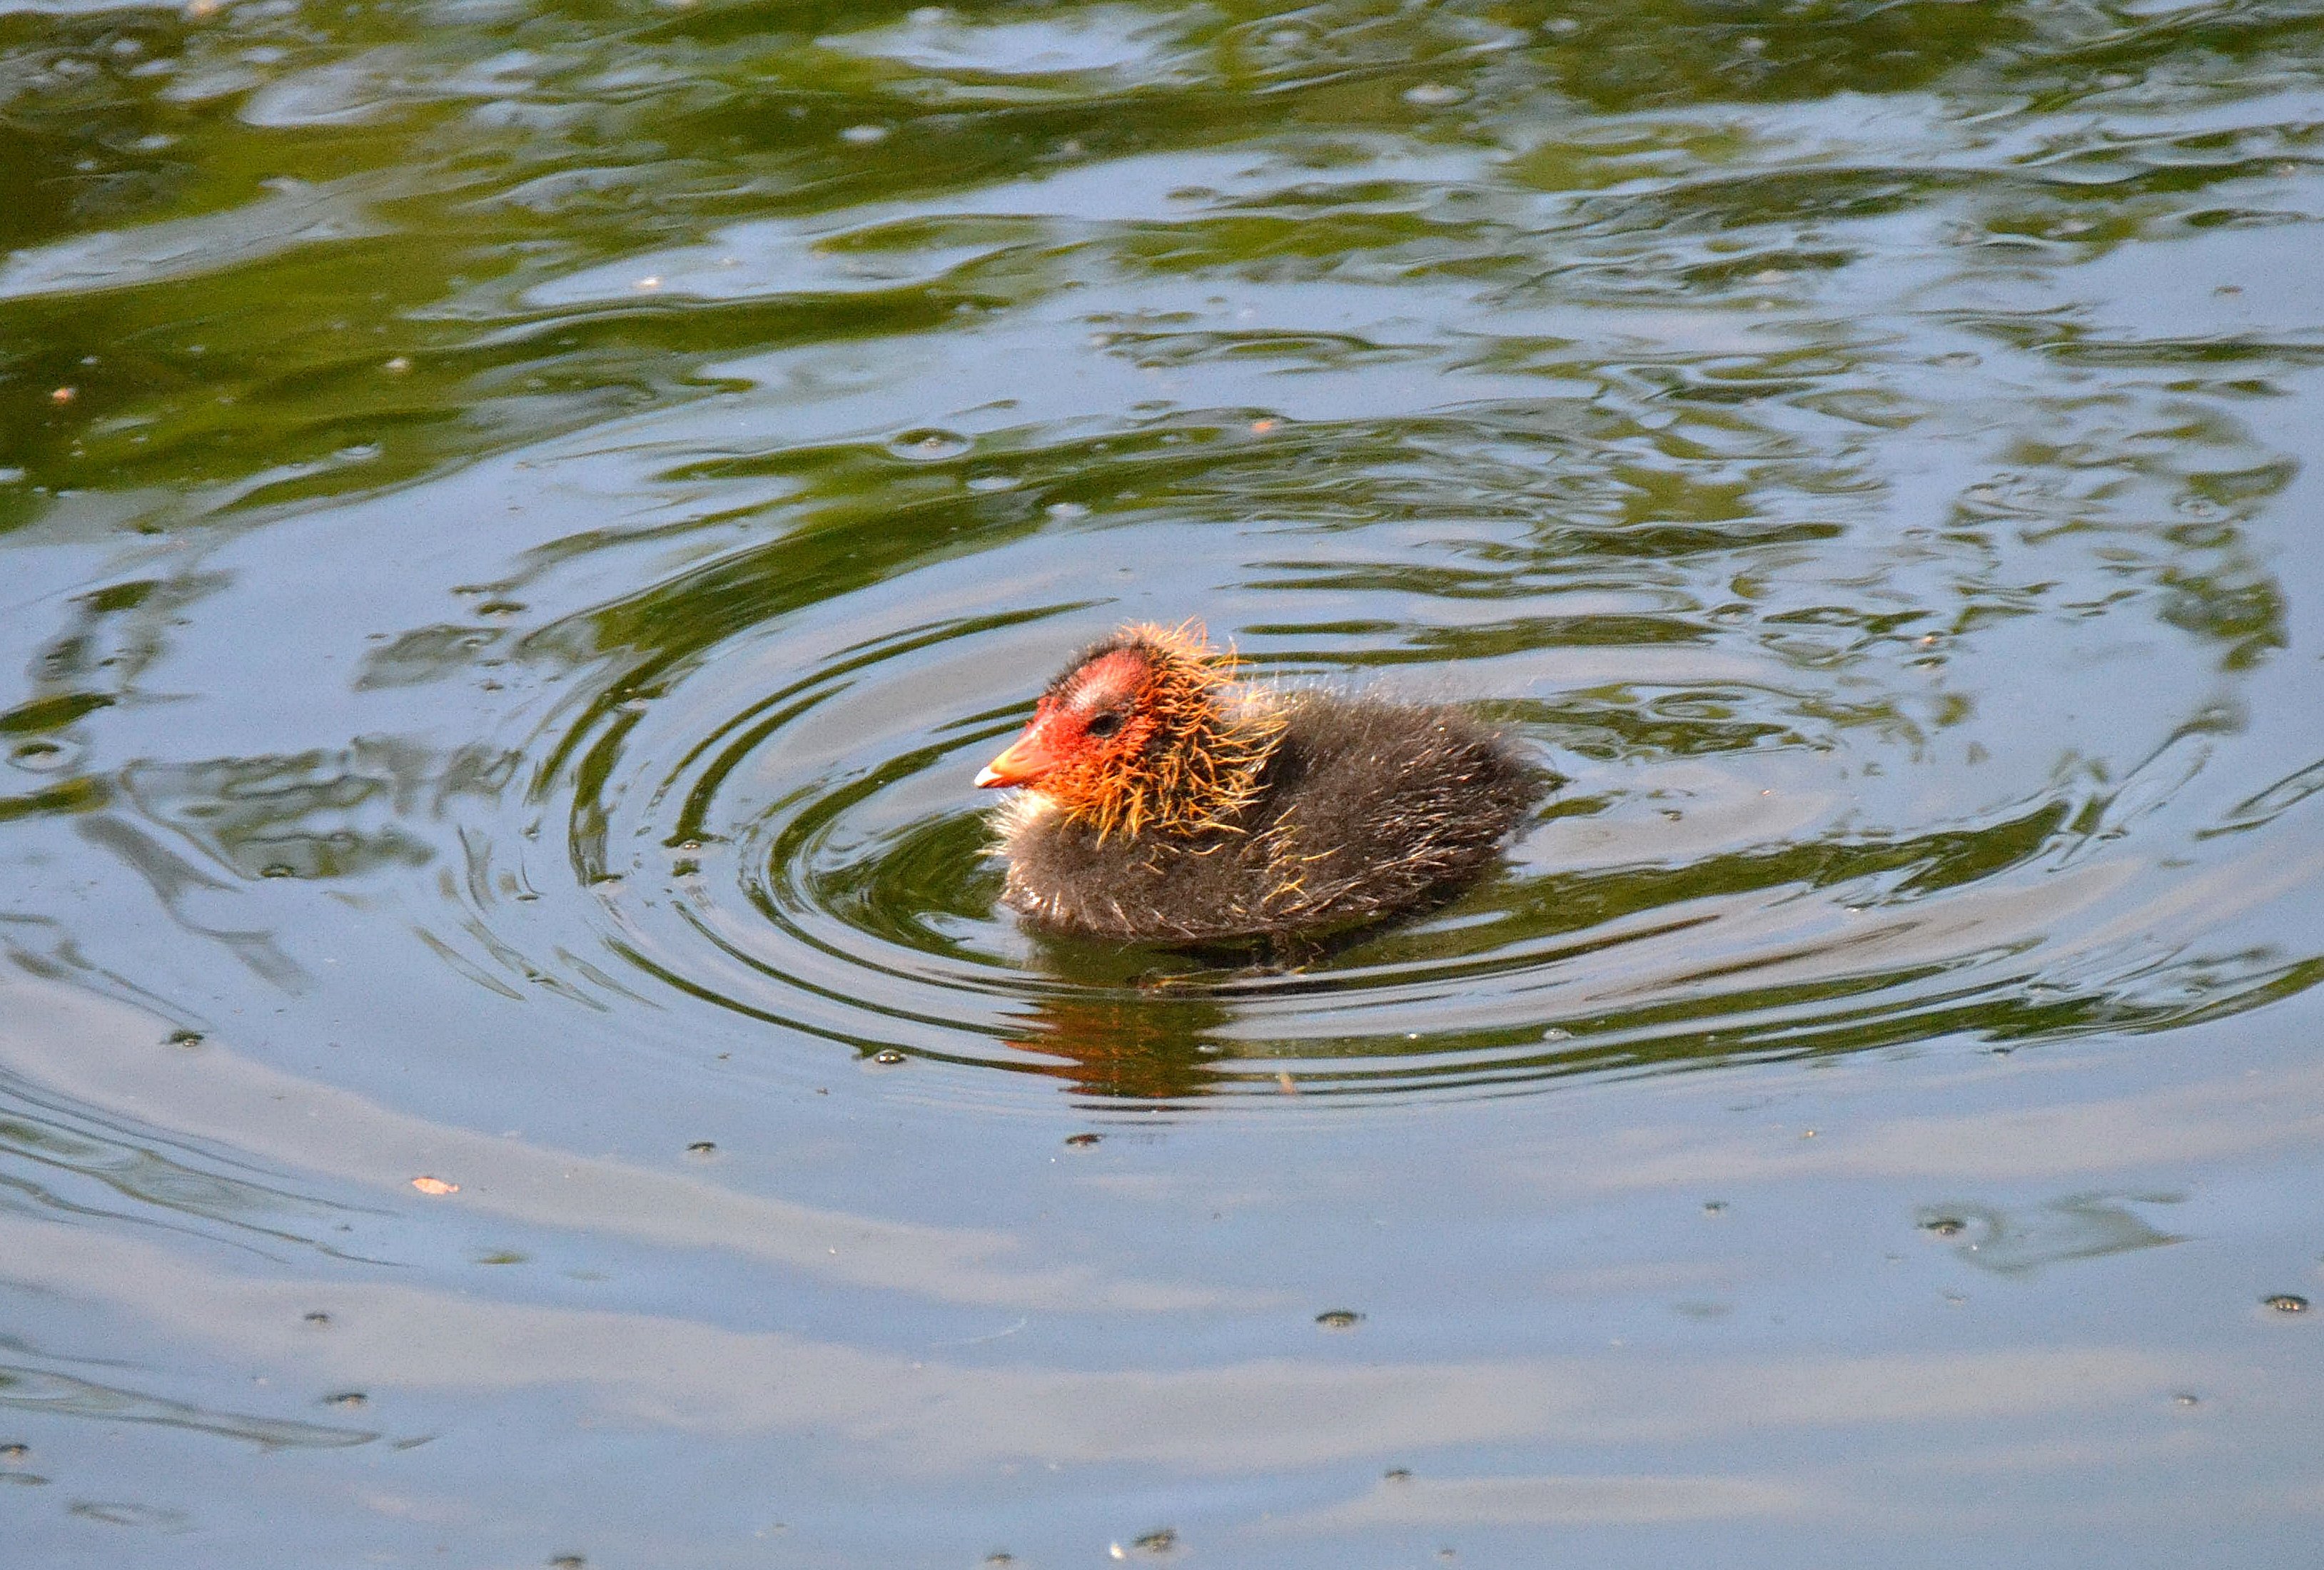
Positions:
(1368, 809)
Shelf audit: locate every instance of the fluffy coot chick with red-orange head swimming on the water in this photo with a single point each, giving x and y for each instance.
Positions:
(1165, 800)
